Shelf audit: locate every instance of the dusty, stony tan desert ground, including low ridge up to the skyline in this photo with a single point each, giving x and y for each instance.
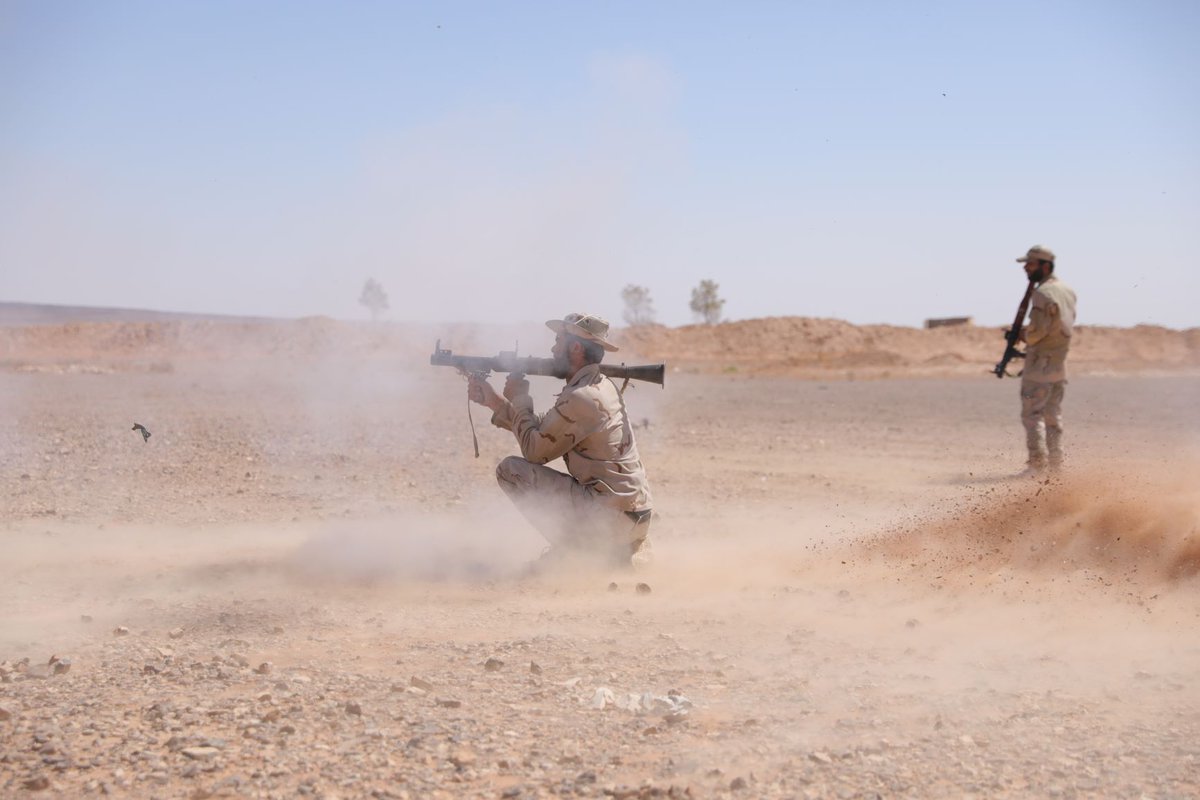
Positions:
(305, 585)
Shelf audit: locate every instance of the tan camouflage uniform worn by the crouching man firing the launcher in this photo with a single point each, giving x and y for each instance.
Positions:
(604, 504)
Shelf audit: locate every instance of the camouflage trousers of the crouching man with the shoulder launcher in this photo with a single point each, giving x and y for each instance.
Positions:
(571, 515)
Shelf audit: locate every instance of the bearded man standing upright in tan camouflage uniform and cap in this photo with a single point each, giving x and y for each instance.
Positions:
(1045, 380)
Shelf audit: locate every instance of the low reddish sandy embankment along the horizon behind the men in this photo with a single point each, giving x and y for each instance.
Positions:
(802, 347)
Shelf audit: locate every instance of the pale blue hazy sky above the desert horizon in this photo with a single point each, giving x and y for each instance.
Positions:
(879, 163)
